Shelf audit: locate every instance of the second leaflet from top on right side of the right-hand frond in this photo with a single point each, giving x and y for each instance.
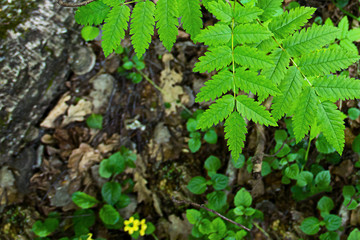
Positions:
(308, 40)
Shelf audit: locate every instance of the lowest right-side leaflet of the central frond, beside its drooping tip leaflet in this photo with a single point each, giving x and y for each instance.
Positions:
(252, 110)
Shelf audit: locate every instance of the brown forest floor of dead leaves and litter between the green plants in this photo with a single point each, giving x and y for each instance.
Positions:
(149, 118)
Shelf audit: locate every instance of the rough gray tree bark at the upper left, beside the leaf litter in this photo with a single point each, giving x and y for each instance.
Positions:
(33, 68)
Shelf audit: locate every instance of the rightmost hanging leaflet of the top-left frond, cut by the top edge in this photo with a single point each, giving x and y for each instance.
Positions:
(191, 16)
